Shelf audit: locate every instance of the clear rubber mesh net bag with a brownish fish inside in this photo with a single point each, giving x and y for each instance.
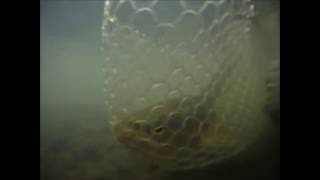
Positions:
(182, 85)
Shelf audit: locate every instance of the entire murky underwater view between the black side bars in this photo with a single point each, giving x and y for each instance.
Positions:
(159, 89)
